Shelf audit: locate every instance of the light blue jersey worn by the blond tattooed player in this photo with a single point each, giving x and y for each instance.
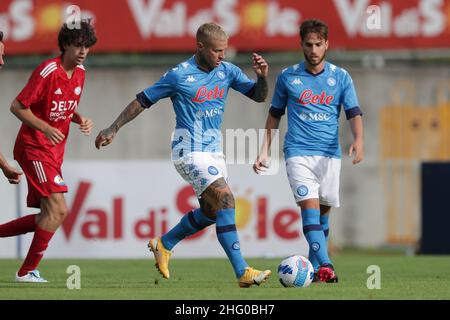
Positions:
(198, 99)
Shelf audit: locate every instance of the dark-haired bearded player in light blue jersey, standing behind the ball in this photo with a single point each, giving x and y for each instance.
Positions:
(313, 93)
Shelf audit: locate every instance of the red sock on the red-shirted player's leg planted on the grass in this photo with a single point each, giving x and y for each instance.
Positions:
(38, 246)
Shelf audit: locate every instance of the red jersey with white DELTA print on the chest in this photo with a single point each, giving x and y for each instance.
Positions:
(53, 98)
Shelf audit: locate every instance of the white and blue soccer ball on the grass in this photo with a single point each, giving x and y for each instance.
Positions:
(295, 271)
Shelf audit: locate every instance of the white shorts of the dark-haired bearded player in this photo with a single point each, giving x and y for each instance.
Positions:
(314, 177)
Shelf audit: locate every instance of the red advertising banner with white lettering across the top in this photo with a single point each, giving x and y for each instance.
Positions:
(31, 26)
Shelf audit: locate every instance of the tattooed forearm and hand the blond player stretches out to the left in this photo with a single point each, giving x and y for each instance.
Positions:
(106, 136)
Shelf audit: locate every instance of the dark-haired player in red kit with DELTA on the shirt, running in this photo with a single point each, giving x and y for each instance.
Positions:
(46, 106)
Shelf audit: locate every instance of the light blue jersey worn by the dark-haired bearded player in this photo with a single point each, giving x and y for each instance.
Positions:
(314, 105)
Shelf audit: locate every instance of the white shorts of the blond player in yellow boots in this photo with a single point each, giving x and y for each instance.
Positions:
(200, 169)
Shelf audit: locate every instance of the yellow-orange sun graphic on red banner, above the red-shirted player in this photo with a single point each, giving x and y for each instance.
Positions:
(49, 19)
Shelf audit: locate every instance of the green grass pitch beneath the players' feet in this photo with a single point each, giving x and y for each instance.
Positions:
(402, 277)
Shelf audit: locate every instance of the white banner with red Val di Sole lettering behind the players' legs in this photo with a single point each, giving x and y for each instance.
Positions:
(116, 207)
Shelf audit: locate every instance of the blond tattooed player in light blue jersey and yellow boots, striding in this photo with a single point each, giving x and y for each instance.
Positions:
(198, 89)
